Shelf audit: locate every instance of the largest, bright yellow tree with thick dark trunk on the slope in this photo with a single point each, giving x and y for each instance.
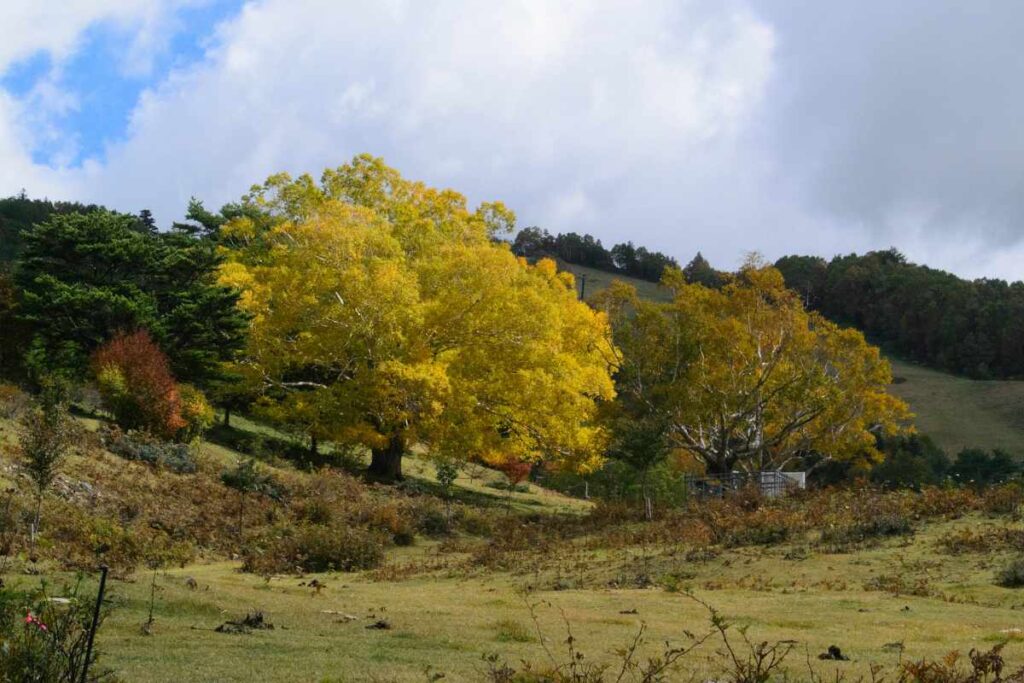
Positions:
(386, 314)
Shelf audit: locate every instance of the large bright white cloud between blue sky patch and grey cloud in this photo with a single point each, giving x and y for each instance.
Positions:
(548, 106)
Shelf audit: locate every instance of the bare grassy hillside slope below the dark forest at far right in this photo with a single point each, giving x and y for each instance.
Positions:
(961, 413)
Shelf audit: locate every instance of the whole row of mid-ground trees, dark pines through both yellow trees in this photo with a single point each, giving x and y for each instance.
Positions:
(376, 313)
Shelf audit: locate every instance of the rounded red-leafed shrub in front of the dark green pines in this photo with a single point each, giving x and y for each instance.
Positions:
(137, 386)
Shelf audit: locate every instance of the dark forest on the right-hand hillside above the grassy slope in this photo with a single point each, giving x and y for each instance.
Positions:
(973, 328)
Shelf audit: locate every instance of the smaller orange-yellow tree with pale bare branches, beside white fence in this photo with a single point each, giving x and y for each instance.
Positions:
(745, 377)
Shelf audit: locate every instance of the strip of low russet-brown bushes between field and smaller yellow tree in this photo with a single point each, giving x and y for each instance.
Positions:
(835, 521)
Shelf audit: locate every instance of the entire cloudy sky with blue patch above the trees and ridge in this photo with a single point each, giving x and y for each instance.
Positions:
(720, 126)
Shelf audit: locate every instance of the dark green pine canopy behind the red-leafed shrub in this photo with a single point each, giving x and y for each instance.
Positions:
(84, 278)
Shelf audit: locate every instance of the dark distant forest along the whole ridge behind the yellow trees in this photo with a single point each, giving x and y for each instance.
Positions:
(972, 328)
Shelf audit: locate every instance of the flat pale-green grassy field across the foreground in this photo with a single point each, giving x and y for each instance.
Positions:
(447, 620)
